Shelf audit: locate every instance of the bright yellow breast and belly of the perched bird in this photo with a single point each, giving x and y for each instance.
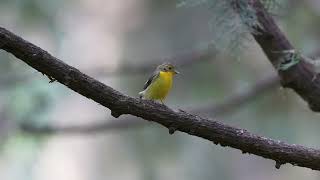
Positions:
(161, 86)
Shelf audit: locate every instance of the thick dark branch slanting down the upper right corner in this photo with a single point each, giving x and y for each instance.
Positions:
(300, 77)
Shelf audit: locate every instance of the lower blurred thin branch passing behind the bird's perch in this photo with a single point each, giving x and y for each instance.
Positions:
(230, 104)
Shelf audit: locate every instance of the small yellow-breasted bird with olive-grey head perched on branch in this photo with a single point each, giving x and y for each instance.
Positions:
(160, 83)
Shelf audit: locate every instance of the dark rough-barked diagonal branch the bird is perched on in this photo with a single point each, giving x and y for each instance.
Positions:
(119, 104)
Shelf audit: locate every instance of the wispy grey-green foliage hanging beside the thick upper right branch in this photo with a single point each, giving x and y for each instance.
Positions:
(232, 22)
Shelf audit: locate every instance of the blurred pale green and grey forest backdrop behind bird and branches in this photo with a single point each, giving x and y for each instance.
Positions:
(224, 76)
